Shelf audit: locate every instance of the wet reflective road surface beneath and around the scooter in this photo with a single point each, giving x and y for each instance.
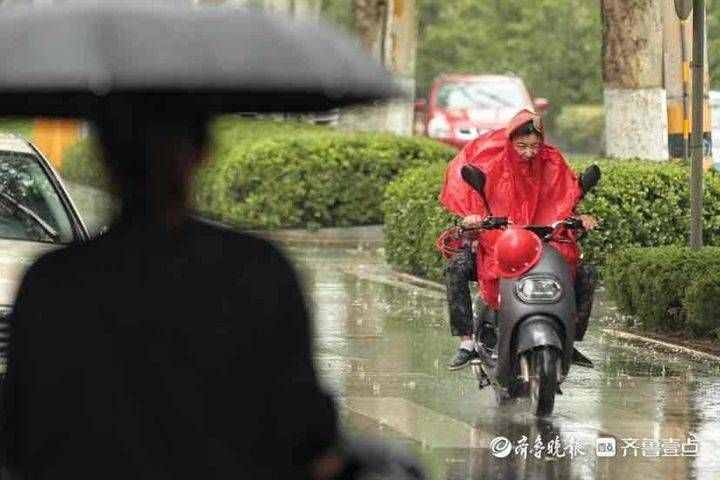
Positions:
(381, 347)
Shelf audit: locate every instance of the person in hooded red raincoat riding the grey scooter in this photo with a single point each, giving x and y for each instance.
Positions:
(527, 181)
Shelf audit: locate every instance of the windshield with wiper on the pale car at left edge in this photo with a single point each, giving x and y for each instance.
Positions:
(30, 199)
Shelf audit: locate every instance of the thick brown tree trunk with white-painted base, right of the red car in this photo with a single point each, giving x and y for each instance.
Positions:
(635, 100)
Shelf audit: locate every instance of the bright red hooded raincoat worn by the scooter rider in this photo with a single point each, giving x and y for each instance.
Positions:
(540, 192)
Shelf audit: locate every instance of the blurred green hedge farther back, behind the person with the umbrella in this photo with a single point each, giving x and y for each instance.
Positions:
(271, 174)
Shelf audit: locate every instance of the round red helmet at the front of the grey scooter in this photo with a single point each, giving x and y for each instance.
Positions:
(517, 250)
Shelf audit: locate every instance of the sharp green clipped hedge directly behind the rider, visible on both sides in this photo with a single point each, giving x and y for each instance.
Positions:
(639, 203)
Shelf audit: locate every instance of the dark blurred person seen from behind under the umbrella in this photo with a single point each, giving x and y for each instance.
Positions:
(170, 347)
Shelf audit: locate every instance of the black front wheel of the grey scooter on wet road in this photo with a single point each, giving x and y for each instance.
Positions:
(543, 380)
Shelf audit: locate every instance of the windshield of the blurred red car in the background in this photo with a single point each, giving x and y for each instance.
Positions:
(467, 95)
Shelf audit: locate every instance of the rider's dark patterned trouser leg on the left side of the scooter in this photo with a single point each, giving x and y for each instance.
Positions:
(459, 271)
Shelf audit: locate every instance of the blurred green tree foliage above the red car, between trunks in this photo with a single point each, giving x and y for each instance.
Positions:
(554, 45)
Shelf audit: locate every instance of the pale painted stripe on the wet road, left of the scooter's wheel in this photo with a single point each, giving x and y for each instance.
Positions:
(418, 423)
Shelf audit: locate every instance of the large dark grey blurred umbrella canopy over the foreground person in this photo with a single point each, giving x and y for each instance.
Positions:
(66, 60)
